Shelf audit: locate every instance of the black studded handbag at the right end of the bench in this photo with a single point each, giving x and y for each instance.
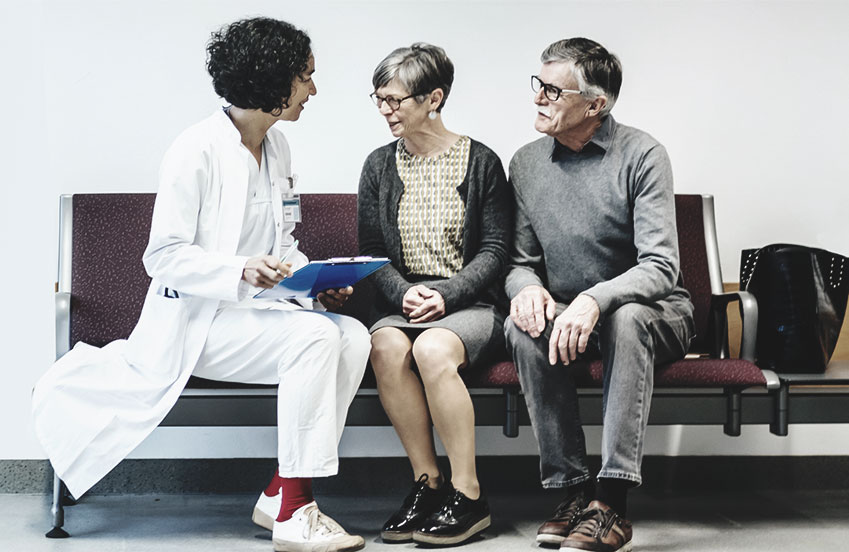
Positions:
(801, 293)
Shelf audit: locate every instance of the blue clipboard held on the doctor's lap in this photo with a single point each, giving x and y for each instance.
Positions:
(318, 276)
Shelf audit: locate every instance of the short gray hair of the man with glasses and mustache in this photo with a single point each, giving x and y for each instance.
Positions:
(598, 72)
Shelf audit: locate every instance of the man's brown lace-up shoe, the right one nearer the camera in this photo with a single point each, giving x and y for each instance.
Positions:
(599, 529)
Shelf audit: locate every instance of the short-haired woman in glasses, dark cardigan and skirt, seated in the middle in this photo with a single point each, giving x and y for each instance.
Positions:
(437, 204)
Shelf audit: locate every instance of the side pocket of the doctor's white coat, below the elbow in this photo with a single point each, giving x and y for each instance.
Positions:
(155, 347)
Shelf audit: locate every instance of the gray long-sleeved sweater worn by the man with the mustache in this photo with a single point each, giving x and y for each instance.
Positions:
(600, 221)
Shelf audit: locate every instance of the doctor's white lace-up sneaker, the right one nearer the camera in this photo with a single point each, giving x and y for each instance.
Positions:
(309, 530)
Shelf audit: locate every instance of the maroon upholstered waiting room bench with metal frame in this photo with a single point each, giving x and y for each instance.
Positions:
(95, 306)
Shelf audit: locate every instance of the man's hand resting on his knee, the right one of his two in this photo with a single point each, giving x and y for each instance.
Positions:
(572, 330)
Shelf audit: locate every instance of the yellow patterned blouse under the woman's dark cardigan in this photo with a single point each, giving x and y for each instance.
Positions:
(431, 211)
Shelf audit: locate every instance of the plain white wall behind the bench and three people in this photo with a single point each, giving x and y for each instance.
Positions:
(748, 97)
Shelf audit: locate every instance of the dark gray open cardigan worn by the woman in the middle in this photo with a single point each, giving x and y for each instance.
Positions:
(486, 229)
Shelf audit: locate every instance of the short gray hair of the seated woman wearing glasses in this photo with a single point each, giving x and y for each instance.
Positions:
(421, 69)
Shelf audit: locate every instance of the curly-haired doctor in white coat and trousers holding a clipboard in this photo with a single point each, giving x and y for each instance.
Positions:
(217, 235)
